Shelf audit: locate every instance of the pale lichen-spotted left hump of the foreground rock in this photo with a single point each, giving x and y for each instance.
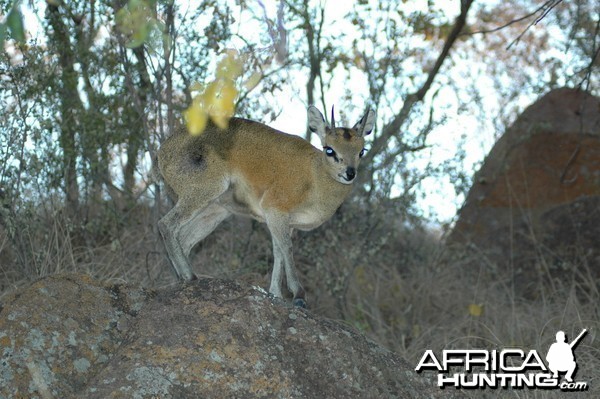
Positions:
(57, 332)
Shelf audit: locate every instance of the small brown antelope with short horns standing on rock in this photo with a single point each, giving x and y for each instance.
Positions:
(253, 170)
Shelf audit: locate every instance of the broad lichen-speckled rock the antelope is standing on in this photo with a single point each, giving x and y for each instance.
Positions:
(71, 336)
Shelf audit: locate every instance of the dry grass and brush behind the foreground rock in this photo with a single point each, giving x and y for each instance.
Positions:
(392, 282)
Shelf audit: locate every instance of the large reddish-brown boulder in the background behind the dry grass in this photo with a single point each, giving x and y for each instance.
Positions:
(535, 203)
